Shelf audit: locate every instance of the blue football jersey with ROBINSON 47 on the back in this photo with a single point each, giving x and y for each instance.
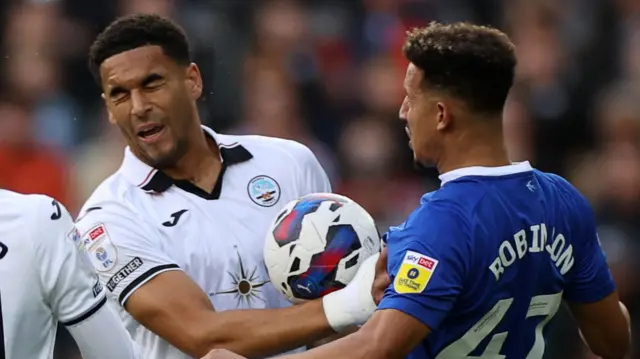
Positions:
(486, 260)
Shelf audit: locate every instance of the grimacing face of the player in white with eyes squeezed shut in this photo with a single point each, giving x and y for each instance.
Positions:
(151, 99)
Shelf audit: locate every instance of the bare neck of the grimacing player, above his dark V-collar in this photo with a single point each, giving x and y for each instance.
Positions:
(200, 165)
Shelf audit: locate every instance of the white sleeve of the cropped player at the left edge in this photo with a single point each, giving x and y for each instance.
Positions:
(71, 285)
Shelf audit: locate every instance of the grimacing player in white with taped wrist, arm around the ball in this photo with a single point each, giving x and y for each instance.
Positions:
(177, 232)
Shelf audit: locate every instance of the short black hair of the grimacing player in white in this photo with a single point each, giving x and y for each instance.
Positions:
(138, 30)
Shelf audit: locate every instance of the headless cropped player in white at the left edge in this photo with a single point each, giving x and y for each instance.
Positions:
(45, 279)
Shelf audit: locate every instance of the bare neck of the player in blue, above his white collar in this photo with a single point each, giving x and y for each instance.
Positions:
(483, 148)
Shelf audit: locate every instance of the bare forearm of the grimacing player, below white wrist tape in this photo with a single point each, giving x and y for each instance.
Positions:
(261, 333)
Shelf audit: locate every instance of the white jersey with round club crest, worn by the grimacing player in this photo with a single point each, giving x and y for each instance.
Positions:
(140, 223)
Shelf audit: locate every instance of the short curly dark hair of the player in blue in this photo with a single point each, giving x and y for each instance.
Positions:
(474, 63)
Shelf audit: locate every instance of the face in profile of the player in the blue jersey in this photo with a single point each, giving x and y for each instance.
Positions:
(418, 111)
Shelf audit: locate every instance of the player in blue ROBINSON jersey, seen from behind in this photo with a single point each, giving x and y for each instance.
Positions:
(482, 265)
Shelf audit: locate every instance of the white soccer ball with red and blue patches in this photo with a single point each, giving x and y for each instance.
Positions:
(316, 244)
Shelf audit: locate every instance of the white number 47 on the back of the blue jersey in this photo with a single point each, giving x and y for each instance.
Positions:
(541, 305)
